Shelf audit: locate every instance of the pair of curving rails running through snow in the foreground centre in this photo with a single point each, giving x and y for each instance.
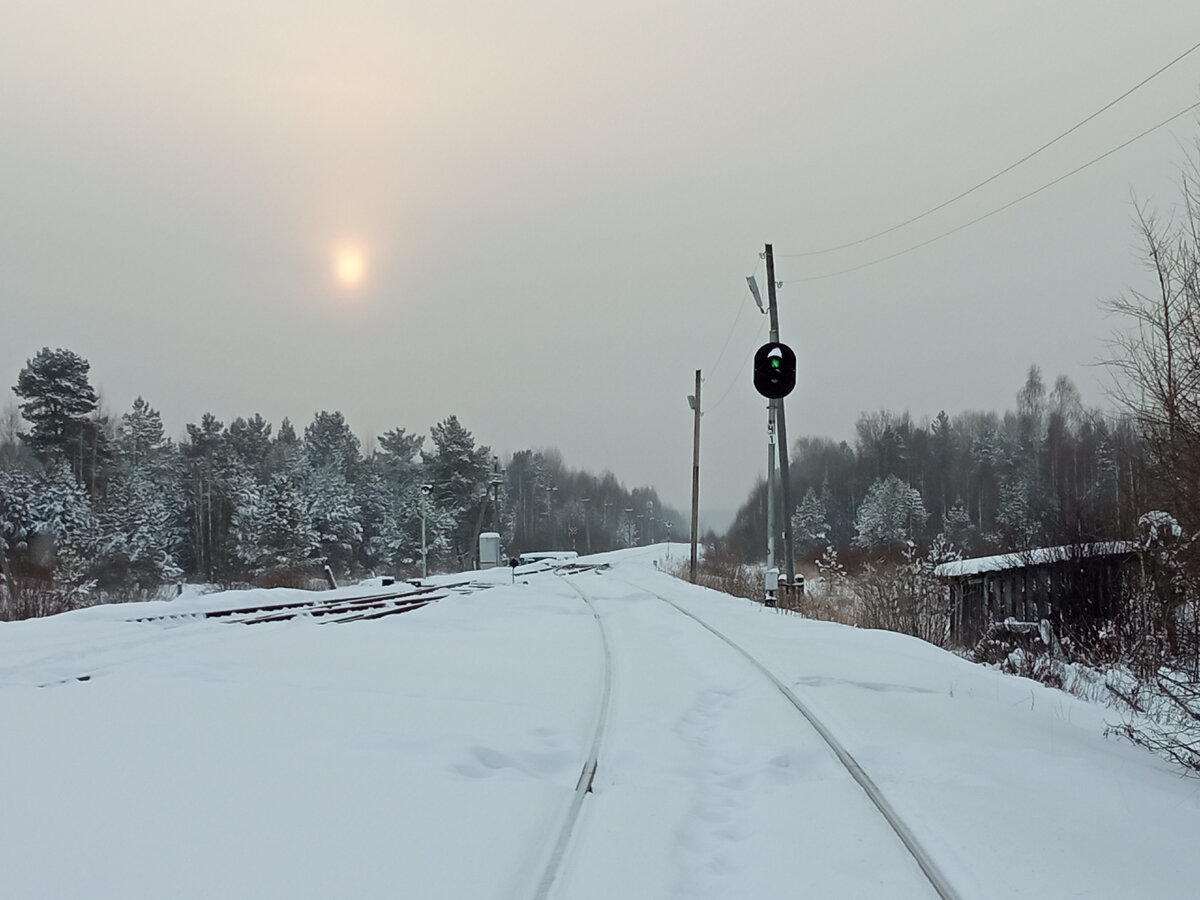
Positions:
(568, 825)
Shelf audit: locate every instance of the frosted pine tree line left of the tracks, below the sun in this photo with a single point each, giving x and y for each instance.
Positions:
(89, 501)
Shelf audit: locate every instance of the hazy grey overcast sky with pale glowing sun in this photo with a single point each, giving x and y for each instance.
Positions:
(541, 217)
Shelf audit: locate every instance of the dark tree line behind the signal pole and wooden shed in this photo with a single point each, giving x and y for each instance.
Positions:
(1048, 472)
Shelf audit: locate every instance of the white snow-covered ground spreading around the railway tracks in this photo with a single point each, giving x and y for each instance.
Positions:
(434, 755)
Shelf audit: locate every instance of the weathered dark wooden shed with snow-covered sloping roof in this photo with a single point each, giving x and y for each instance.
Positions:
(1073, 587)
